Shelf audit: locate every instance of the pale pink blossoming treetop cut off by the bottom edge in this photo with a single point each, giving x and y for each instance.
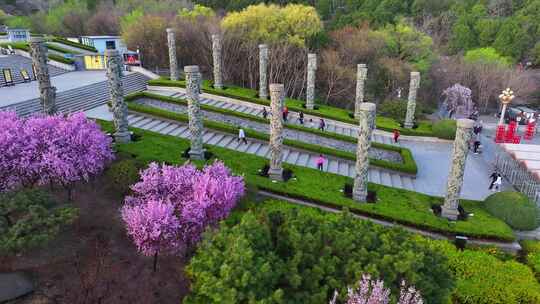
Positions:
(371, 291)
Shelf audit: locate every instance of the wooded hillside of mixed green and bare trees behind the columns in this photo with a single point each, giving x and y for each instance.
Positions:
(485, 45)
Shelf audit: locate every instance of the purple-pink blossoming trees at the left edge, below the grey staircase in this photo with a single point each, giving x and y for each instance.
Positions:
(50, 150)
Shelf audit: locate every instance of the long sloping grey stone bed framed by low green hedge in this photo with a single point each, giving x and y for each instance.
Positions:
(265, 128)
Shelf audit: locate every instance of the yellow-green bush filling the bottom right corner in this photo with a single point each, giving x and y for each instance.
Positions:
(484, 279)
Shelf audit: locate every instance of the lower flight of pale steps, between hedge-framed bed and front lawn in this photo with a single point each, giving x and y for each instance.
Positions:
(261, 148)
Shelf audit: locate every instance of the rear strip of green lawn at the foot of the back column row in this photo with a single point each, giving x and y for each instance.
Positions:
(383, 123)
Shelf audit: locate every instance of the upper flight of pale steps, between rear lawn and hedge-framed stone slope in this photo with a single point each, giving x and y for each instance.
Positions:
(255, 109)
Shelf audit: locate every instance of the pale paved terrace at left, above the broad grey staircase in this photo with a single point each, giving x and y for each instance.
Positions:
(26, 91)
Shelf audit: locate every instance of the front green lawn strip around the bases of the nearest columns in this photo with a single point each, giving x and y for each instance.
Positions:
(406, 207)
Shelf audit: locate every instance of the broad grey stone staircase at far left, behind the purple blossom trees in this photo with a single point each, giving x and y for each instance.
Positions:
(82, 98)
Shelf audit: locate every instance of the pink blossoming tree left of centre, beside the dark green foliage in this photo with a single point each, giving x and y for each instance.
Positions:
(199, 198)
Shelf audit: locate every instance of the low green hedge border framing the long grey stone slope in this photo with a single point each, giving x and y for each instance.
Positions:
(408, 165)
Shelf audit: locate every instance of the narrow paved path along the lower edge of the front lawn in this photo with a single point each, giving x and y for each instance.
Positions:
(512, 247)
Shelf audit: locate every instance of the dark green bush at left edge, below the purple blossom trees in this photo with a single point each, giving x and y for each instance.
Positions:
(30, 218)
